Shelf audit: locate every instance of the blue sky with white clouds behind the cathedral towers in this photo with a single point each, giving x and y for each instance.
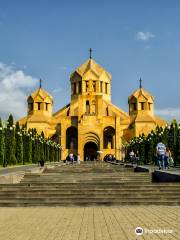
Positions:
(49, 39)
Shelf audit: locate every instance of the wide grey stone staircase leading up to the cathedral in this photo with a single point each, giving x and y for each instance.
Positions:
(89, 184)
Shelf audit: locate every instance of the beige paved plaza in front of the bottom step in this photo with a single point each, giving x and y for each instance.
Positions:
(88, 223)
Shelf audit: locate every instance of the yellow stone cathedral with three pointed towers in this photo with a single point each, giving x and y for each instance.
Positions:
(91, 125)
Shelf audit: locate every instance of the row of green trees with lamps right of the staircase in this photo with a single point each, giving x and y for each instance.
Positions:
(145, 146)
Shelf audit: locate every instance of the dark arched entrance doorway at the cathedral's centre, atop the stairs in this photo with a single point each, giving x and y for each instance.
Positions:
(90, 151)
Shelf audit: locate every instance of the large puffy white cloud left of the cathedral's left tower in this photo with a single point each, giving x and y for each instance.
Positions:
(13, 86)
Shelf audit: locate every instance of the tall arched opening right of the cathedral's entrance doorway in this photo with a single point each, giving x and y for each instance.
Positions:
(109, 138)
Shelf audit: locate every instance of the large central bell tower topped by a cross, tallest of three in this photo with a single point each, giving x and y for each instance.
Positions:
(90, 83)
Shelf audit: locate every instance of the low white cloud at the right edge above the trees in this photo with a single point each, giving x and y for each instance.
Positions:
(169, 113)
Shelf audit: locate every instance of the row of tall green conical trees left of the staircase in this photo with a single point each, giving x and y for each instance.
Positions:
(21, 146)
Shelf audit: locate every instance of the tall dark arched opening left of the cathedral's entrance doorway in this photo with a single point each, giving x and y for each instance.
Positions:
(71, 138)
